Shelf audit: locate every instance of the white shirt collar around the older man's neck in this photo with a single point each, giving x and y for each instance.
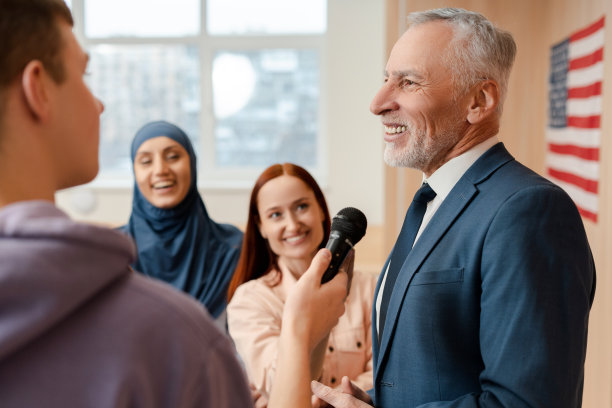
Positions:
(444, 179)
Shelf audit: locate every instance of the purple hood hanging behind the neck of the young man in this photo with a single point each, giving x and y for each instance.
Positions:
(49, 267)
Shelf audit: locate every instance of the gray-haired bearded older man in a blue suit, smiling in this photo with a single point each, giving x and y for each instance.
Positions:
(485, 299)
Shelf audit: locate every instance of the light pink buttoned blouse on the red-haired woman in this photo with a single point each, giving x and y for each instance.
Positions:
(254, 320)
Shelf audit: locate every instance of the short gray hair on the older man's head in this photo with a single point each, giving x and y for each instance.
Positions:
(480, 50)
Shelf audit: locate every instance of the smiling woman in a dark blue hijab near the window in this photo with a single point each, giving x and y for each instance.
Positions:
(176, 239)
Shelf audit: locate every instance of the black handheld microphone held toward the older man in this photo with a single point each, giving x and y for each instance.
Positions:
(348, 227)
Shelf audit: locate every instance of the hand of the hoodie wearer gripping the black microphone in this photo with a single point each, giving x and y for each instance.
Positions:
(312, 309)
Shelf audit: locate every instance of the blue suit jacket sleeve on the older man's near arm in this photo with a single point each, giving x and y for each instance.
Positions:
(538, 283)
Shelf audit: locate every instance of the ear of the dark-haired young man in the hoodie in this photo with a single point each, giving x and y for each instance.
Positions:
(34, 83)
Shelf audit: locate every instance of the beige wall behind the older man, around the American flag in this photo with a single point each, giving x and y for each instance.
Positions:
(536, 25)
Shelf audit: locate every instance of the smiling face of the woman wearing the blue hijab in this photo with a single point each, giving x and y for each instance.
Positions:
(162, 171)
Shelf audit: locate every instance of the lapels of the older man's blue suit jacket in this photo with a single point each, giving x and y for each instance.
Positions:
(459, 197)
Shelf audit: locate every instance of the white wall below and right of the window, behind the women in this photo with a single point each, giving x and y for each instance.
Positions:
(354, 62)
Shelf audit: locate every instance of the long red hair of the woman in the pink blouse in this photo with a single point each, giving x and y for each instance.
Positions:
(256, 257)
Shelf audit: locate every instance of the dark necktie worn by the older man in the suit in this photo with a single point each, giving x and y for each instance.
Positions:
(403, 245)
